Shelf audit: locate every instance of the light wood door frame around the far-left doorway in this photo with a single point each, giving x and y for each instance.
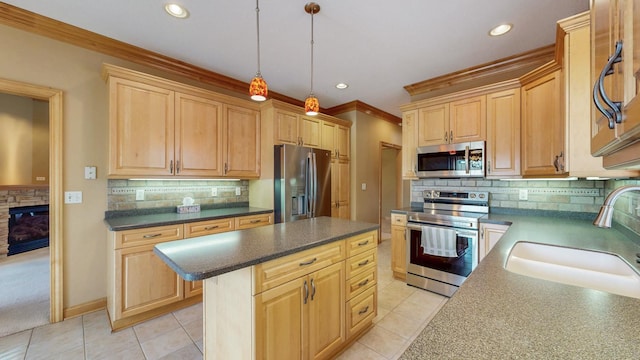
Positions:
(54, 97)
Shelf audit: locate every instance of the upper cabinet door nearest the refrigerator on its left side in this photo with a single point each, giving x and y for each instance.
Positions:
(242, 142)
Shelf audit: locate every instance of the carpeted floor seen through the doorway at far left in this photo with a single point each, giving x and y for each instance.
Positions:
(24, 291)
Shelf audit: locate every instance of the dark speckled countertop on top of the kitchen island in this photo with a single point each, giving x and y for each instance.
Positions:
(211, 255)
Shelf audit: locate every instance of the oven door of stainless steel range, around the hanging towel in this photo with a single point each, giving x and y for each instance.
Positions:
(452, 268)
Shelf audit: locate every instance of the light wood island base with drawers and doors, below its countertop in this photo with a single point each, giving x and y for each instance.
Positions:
(308, 305)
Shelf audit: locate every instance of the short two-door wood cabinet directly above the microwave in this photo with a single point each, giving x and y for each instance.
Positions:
(453, 122)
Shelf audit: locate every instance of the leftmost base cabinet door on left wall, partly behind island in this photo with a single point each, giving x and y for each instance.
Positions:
(145, 282)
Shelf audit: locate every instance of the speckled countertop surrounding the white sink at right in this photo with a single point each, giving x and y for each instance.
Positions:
(497, 314)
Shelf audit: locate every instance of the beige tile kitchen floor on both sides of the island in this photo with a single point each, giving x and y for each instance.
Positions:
(402, 313)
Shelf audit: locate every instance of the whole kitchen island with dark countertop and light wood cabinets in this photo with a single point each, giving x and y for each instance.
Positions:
(304, 268)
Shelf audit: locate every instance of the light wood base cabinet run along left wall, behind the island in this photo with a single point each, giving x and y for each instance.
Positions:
(141, 285)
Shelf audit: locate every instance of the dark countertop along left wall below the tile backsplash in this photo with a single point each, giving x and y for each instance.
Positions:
(142, 220)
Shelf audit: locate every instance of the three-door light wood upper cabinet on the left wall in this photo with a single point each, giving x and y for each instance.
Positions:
(163, 129)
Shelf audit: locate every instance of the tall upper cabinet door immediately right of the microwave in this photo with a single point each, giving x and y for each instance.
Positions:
(503, 134)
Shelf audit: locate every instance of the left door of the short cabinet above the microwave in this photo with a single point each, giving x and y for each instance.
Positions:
(433, 125)
